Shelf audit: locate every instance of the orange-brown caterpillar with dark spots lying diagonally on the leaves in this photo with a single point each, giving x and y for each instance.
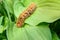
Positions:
(25, 14)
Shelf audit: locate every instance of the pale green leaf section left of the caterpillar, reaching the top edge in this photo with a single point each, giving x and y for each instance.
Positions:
(18, 7)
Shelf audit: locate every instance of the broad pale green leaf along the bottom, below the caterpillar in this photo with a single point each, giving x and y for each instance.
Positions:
(28, 32)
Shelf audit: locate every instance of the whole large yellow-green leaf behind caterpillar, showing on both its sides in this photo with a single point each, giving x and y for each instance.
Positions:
(47, 11)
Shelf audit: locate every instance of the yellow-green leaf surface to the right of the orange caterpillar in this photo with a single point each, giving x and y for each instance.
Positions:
(47, 11)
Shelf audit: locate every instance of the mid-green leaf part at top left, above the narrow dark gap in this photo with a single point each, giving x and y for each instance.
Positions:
(8, 4)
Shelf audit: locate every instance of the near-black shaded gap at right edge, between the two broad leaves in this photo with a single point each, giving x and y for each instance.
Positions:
(56, 27)
